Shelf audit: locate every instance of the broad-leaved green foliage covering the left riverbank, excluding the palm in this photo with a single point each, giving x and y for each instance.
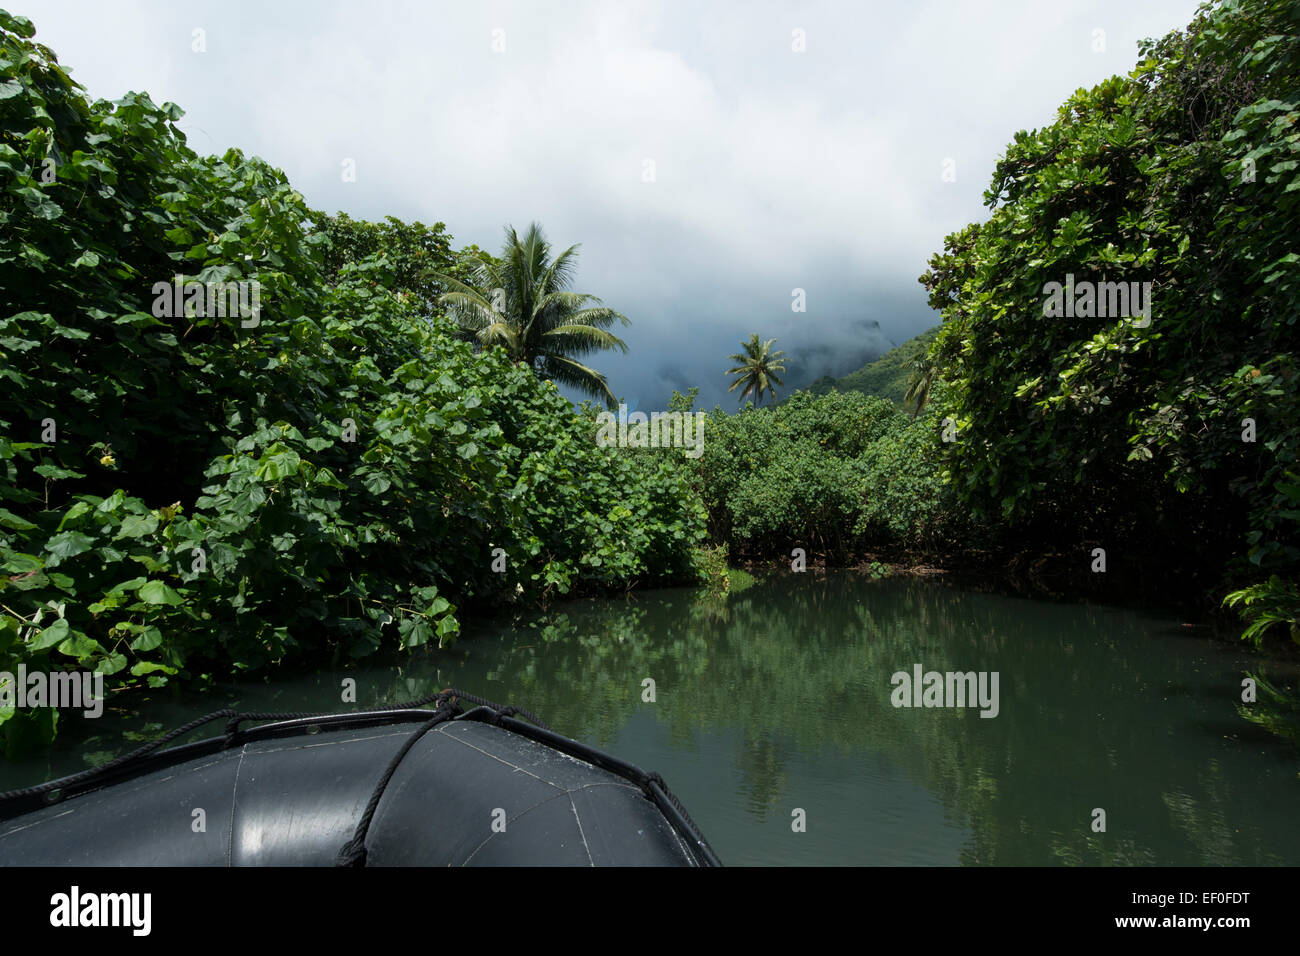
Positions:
(203, 492)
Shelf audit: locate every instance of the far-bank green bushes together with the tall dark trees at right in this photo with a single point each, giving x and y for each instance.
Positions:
(1121, 455)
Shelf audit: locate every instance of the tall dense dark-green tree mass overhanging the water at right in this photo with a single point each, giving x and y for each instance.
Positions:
(1125, 434)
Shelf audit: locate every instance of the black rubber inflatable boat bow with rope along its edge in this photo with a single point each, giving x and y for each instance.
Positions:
(402, 788)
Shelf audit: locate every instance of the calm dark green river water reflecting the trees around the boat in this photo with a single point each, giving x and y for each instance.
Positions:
(779, 699)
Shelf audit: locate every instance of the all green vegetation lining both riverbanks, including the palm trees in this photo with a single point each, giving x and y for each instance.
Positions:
(374, 444)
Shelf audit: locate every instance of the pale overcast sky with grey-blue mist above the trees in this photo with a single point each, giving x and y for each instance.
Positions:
(773, 168)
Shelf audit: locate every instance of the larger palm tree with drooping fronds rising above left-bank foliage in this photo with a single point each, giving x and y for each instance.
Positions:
(522, 304)
